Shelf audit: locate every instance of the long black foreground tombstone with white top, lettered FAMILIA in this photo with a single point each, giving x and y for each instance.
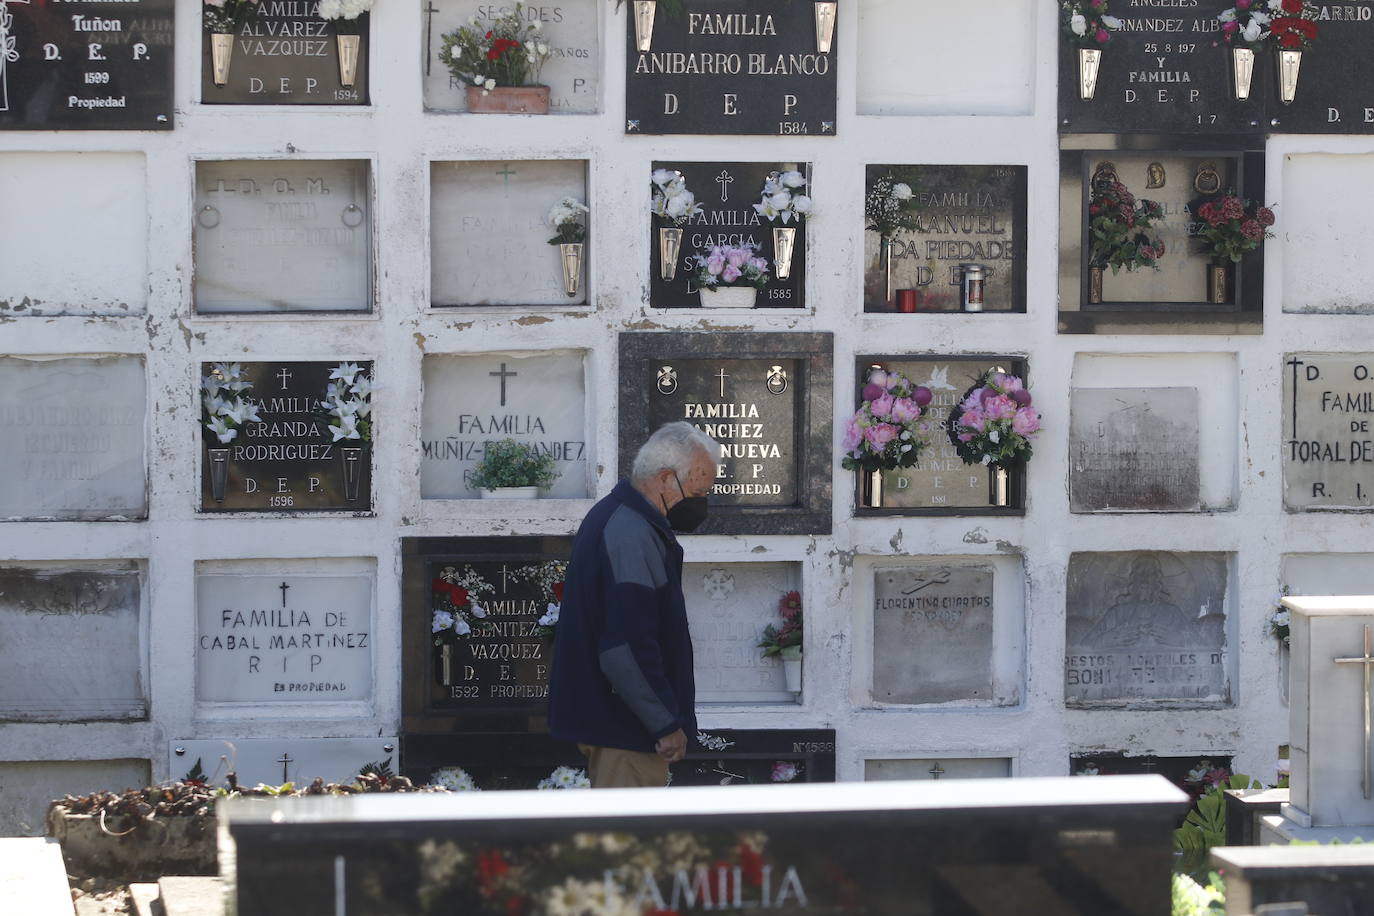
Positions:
(989, 847)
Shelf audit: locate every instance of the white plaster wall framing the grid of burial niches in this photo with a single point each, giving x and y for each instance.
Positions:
(402, 141)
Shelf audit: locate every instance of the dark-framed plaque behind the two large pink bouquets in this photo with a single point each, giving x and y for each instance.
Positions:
(939, 483)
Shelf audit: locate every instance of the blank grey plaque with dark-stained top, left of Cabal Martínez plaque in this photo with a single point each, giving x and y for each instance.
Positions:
(69, 643)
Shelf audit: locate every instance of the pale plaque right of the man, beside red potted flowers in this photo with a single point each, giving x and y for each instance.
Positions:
(729, 606)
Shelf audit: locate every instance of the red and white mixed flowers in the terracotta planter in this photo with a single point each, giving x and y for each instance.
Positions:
(505, 53)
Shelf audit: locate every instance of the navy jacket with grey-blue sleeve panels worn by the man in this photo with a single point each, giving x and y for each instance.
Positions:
(623, 661)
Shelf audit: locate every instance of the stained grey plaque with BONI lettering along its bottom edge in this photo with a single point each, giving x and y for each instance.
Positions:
(1145, 628)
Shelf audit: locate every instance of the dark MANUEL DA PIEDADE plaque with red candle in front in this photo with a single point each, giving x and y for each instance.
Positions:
(961, 215)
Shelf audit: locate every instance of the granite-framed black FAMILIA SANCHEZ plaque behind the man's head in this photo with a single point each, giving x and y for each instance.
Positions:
(765, 398)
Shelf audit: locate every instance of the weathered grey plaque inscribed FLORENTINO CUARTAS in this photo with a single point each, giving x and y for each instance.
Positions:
(932, 634)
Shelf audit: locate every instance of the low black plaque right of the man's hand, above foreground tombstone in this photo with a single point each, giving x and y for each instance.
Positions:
(758, 757)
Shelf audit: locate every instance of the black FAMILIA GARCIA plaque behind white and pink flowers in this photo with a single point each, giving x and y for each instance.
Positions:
(728, 194)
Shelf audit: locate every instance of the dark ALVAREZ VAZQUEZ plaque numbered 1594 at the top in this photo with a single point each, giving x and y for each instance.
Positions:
(288, 56)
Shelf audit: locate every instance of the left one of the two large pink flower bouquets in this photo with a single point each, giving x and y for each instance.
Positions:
(887, 432)
